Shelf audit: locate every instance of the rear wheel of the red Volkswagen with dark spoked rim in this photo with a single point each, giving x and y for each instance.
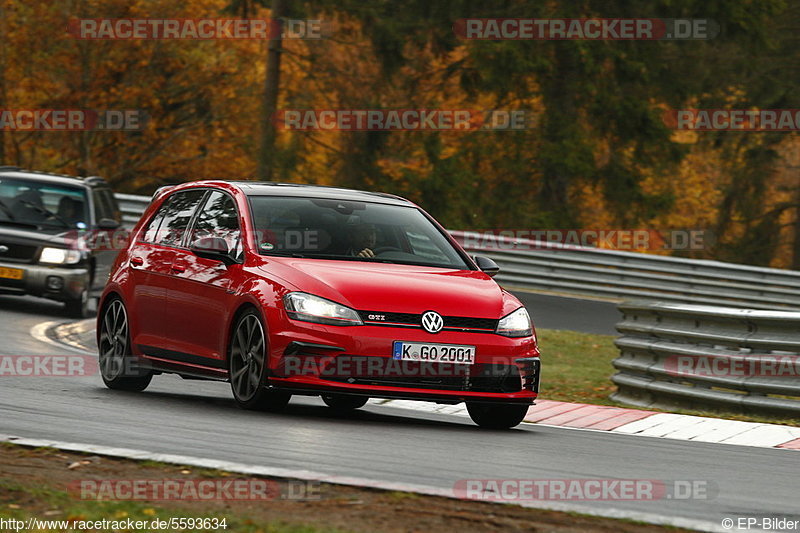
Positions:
(118, 367)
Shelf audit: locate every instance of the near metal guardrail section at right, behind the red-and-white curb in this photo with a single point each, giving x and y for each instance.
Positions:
(695, 356)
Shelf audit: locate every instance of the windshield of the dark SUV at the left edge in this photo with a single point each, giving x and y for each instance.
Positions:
(34, 203)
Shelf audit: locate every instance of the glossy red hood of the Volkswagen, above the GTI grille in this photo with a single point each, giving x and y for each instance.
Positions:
(395, 288)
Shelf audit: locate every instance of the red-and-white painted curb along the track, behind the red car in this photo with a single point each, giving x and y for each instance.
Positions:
(640, 422)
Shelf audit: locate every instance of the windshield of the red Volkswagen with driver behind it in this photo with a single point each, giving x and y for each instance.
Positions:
(350, 230)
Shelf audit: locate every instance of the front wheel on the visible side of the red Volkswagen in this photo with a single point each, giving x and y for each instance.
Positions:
(247, 366)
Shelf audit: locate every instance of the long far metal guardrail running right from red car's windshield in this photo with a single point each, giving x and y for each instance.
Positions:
(624, 275)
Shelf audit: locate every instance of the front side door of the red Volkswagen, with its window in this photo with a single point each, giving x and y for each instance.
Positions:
(200, 291)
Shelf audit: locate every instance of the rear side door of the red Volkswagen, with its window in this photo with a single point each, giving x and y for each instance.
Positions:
(151, 262)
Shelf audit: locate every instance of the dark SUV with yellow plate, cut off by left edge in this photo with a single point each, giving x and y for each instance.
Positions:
(49, 228)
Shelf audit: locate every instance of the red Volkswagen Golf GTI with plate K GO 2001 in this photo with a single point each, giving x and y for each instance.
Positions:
(286, 289)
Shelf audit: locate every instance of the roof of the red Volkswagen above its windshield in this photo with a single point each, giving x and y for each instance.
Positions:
(268, 188)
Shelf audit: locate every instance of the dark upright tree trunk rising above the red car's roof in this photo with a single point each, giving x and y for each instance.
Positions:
(266, 153)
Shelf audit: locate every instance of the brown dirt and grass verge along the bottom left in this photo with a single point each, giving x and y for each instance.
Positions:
(36, 483)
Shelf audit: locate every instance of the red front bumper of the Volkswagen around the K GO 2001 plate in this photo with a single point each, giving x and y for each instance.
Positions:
(308, 358)
